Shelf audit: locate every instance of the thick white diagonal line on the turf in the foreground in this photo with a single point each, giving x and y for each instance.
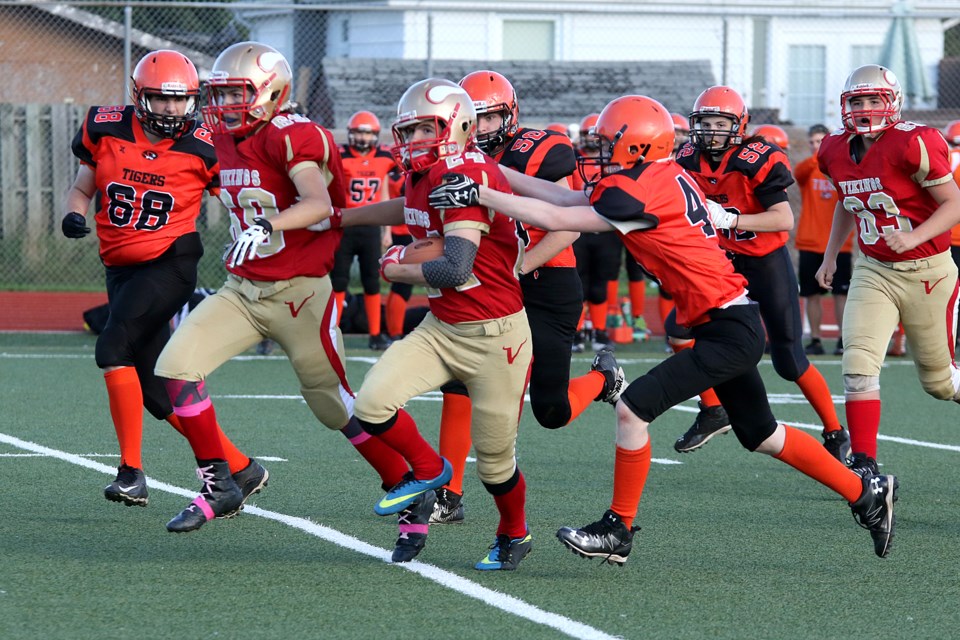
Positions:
(502, 601)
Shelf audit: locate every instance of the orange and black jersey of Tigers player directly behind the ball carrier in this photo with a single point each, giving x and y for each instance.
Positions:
(547, 155)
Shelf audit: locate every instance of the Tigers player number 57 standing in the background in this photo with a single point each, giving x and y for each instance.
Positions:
(366, 168)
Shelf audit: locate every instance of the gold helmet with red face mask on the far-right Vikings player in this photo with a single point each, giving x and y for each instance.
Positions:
(871, 80)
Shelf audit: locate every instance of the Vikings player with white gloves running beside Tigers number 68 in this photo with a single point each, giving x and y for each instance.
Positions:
(279, 173)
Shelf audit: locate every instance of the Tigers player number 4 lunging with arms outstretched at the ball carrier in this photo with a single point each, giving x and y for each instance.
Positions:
(663, 218)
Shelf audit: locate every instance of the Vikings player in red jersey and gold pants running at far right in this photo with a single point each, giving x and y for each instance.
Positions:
(897, 194)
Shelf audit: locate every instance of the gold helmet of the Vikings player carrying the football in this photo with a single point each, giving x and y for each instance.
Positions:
(445, 105)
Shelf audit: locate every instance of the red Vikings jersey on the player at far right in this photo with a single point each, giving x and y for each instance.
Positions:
(885, 190)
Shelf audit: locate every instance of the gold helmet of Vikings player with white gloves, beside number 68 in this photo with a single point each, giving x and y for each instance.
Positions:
(262, 76)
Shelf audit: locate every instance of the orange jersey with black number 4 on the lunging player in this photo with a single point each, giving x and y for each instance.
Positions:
(659, 211)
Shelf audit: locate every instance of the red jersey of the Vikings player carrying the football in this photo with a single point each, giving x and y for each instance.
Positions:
(493, 289)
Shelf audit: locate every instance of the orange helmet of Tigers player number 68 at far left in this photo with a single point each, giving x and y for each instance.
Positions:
(165, 73)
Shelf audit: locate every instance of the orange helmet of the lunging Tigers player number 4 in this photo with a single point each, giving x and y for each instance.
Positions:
(629, 130)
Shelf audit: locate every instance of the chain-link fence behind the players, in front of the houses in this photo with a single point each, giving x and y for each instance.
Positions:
(566, 59)
